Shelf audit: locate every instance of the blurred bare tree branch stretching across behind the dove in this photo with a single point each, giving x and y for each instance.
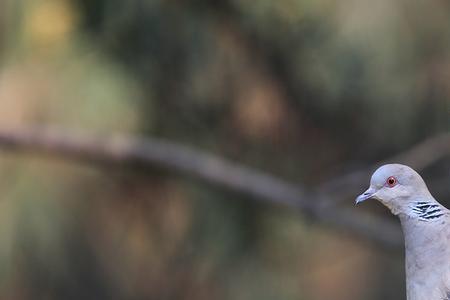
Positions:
(318, 204)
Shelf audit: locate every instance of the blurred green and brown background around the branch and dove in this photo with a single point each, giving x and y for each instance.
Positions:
(304, 90)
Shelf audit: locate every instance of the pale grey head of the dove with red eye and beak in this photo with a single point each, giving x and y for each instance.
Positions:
(397, 187)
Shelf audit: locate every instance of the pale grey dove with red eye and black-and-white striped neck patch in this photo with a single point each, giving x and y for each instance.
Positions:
(426, 229)
